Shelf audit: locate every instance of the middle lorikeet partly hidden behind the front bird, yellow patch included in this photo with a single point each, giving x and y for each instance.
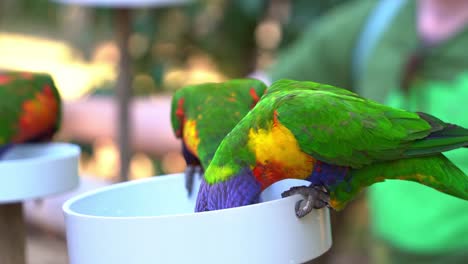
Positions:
(202, 115)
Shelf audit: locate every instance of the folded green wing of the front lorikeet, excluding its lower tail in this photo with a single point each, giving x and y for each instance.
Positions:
(341, 128)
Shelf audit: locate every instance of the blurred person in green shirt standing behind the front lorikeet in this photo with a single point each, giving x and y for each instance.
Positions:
(412, 55)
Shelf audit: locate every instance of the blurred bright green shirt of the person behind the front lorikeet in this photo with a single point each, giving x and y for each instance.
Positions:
(408, 215)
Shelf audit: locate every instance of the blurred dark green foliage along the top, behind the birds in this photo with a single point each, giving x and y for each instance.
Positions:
(223, 31)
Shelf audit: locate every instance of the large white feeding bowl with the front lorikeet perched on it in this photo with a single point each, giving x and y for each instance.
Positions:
(152, 221)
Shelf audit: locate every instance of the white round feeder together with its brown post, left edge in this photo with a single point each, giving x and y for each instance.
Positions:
(26, 172)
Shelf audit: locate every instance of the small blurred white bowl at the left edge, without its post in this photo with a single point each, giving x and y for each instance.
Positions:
(35, 170)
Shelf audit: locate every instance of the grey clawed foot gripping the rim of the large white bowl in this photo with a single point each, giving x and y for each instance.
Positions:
(314, 197)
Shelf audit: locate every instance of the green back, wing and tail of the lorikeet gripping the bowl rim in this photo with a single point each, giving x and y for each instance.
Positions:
(379, 142)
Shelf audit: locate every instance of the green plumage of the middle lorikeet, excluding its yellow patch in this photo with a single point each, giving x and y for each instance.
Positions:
(216, 108)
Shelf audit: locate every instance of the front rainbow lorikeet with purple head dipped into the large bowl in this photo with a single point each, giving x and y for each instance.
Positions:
(338, 141)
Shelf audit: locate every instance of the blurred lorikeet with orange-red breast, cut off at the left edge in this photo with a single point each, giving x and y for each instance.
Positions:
(30, 109)
